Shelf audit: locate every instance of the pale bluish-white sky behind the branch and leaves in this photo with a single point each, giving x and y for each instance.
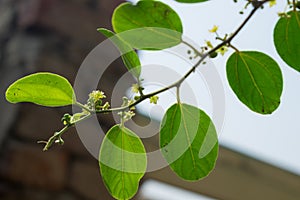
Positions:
(272, 138)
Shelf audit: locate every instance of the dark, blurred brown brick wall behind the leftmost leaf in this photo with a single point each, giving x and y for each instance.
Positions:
(55, 36)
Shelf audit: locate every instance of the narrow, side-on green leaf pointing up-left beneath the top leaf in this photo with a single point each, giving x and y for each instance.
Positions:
(129, 56)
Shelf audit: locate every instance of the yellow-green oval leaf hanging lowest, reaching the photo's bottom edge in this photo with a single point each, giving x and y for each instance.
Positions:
(122, 161)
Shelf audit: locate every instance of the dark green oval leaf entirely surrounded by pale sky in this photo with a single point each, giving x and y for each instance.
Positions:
(256, 79)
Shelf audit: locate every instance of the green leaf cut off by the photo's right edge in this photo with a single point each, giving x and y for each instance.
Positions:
(287, 39)
